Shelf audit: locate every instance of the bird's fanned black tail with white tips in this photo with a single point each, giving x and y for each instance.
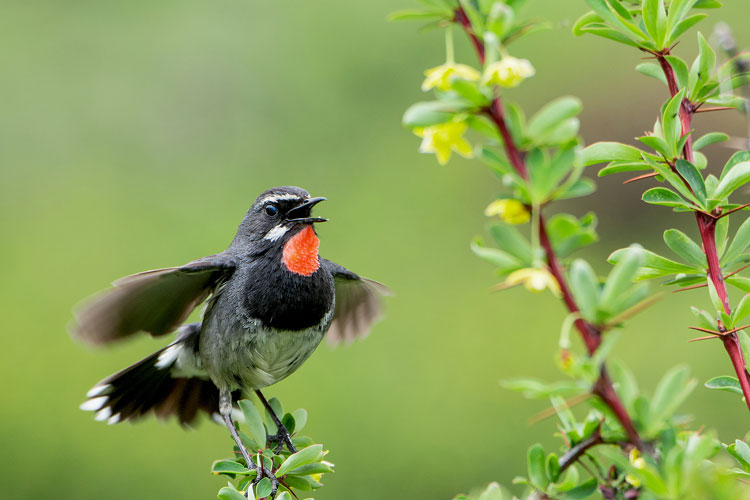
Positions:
(158, 384)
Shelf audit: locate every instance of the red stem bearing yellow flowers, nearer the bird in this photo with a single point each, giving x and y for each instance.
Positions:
(589, 333)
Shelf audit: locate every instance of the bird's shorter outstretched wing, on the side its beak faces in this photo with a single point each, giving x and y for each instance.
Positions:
(359, 304)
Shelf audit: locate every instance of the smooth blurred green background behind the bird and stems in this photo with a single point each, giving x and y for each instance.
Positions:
(134, 135)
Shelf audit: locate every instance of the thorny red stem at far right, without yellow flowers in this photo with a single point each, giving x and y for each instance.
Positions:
(707, 228)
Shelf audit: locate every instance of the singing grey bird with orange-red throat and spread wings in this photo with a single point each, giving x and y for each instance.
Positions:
(270, 299)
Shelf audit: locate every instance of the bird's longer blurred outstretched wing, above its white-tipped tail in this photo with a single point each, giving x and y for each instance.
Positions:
(156, 302)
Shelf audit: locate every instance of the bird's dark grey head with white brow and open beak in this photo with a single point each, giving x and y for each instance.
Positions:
(277, 215)
